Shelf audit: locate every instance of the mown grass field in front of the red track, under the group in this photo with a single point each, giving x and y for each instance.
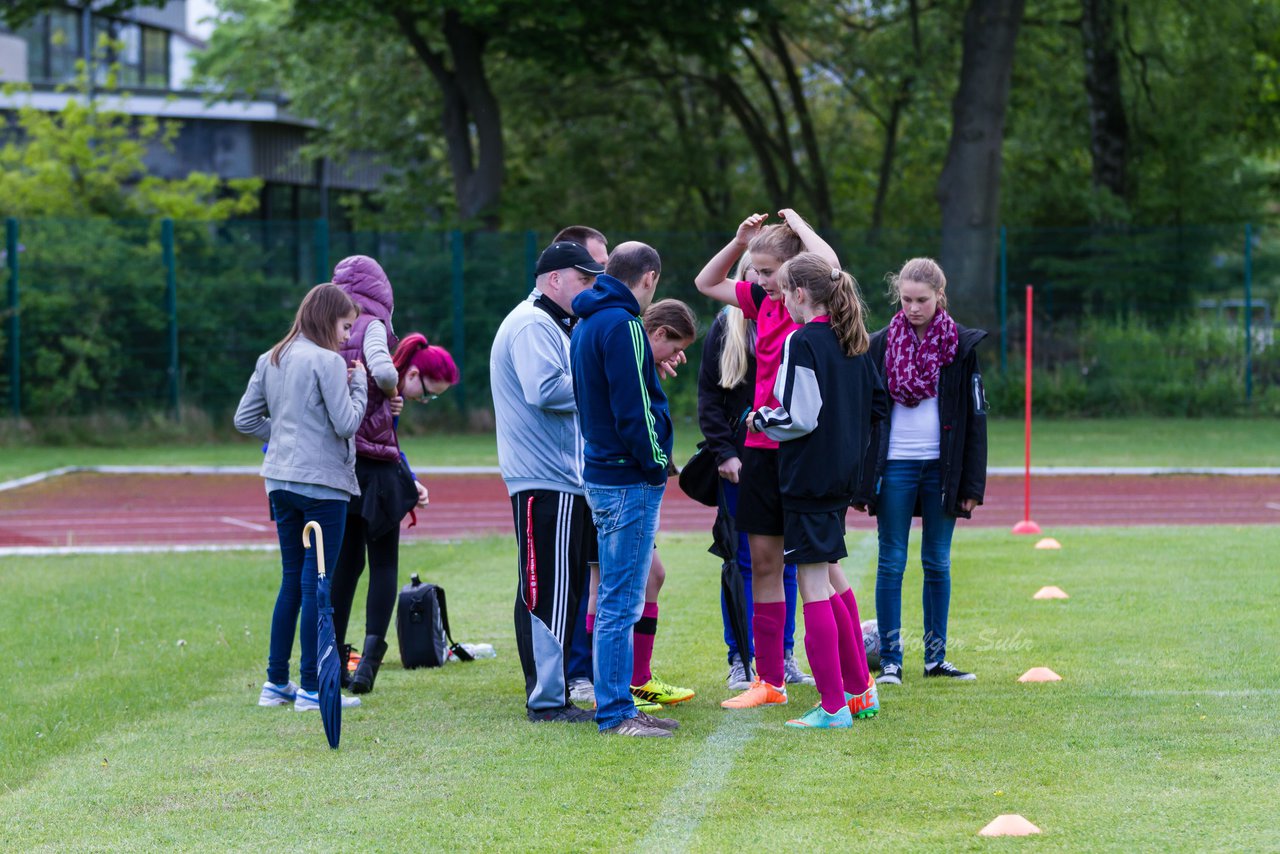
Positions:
(130, 719)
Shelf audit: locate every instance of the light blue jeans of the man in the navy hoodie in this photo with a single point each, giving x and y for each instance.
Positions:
(627, 519)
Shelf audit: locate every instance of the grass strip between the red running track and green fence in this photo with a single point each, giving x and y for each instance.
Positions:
(1075, 442)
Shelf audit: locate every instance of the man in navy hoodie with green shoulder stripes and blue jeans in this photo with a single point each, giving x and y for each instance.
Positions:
(627, 427)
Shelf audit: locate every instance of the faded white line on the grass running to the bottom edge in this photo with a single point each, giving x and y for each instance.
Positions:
(684, 809)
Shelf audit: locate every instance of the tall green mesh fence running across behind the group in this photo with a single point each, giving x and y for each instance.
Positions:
(156, 316)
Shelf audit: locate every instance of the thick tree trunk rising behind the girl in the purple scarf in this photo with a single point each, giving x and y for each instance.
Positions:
(970, 185)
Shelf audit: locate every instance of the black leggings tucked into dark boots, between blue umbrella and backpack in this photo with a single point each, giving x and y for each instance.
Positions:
(383, 578)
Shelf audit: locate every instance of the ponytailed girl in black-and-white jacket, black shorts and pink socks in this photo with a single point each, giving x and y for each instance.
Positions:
(829, 394)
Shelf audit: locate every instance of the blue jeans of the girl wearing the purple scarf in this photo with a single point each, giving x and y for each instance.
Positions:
(906, 482)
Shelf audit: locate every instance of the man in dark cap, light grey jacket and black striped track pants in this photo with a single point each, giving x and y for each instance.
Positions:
(541, 458)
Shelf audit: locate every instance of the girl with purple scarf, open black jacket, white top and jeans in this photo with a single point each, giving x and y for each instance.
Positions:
(929, 460)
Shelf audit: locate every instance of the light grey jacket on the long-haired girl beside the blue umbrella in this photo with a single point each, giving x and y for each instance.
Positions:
(308, 412)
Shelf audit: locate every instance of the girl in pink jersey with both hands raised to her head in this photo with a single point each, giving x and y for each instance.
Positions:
(760, 510)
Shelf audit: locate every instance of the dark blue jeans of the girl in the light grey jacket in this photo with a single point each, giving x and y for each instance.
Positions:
(299, 581)
